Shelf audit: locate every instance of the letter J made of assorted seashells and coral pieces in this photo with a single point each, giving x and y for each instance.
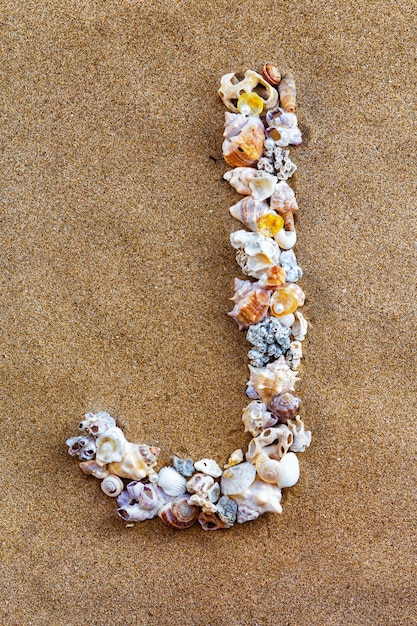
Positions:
(259, 123)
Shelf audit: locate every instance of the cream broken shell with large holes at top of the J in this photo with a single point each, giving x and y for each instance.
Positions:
(231, 89)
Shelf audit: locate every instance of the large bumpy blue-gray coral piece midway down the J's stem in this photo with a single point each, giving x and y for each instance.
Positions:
(270, 340)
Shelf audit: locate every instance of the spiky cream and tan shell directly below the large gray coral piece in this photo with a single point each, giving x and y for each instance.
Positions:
(272, 380)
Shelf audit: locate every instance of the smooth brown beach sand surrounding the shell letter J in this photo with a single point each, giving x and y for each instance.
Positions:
(116, 278)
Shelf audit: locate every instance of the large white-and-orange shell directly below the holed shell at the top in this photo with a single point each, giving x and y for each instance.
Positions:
(244, 147)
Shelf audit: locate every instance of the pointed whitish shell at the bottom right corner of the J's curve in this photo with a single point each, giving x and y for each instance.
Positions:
(258, 499)
